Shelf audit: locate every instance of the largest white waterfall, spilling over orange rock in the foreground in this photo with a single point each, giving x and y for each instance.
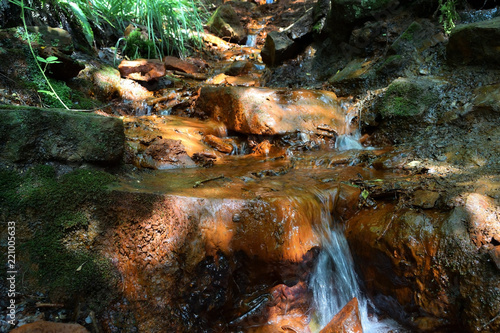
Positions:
(334, 281)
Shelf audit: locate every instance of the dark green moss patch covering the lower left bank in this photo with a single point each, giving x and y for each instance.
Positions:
(52, 207)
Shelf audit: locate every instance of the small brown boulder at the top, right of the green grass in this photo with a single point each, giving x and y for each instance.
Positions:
(226, 23)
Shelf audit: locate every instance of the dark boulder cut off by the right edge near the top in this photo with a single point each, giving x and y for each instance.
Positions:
(475, 44)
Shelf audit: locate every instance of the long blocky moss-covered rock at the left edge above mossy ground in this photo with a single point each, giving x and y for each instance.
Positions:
(55, 135)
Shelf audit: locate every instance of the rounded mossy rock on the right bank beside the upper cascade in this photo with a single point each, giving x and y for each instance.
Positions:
(409, 97)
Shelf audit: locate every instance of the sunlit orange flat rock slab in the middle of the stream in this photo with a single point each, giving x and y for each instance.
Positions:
(265, 111)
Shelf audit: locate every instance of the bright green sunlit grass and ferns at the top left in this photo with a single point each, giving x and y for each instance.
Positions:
(172, 25)
